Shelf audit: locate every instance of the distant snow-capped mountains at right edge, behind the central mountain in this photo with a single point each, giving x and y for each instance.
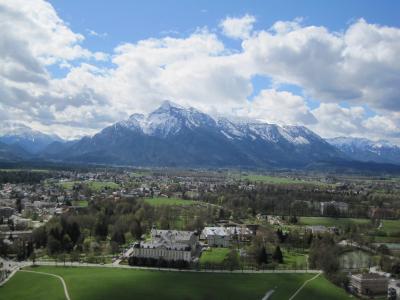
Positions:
(366, 150)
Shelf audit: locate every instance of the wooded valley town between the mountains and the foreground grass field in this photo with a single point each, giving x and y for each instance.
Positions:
(346, 226)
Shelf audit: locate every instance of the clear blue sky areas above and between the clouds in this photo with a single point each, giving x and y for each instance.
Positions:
(123, 21)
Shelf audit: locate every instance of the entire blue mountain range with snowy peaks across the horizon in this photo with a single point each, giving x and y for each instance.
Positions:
(175, 136)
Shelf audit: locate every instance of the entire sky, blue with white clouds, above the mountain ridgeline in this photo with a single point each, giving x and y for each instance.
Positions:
(74, 67)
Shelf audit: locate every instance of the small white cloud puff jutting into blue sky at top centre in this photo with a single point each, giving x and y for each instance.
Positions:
(238, 28)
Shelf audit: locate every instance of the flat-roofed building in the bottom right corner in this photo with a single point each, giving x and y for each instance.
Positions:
(369, 284)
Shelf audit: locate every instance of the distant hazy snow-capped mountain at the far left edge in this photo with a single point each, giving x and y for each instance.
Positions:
(30, 140)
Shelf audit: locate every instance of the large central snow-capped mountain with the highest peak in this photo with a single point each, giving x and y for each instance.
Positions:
(173, 135)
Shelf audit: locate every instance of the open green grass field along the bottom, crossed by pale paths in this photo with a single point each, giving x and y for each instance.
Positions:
(105, 283)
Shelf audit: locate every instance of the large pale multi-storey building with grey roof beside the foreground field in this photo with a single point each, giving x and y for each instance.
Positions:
(168, 245)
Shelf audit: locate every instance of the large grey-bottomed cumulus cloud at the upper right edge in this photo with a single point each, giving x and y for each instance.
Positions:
(358, 66)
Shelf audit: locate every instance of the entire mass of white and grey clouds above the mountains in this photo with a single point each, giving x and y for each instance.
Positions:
(358, 65)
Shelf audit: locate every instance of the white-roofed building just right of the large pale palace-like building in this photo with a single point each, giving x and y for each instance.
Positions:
(222, 236)
